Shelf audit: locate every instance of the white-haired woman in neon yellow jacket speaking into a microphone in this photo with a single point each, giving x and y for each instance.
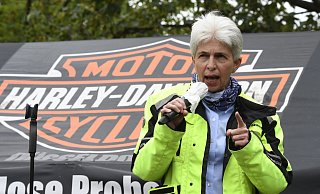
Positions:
(231, 144)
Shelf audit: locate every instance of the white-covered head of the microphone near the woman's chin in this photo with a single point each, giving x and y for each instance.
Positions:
(195, 93)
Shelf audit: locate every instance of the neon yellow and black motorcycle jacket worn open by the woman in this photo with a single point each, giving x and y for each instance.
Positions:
(178, 157)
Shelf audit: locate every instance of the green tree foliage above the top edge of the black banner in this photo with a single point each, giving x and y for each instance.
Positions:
(58, 20)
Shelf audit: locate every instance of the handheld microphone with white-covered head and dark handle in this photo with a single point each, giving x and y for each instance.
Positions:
(191, 98)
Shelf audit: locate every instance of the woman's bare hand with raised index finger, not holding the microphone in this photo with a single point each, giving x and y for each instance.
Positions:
(240, 135)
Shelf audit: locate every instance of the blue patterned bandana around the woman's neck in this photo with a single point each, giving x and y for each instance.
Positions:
(227, 99)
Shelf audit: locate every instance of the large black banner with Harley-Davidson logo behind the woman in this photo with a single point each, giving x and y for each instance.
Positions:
(91, 96)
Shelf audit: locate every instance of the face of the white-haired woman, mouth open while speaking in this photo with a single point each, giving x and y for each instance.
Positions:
(214, 64)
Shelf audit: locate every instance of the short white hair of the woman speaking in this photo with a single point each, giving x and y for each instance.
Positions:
(215, 26)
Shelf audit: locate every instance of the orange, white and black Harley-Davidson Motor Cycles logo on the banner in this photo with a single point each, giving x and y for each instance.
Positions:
(93, 102)
